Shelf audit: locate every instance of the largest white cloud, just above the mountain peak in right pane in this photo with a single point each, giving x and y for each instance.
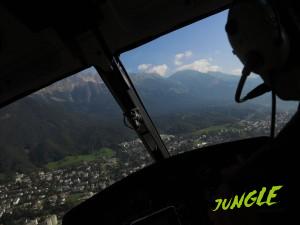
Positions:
(200, 65)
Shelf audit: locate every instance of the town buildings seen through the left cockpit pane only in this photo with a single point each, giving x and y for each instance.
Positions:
(32, 198)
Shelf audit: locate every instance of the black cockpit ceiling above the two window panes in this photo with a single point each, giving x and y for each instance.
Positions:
(44, 41)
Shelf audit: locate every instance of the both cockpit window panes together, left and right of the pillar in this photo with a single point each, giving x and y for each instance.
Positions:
(64, 143)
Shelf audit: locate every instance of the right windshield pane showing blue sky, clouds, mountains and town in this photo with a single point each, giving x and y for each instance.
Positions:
(187, 81)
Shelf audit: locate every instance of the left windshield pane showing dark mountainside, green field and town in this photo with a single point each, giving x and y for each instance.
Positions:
(60, 146)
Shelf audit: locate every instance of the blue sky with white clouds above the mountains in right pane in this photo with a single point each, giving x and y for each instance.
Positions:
(202, 46)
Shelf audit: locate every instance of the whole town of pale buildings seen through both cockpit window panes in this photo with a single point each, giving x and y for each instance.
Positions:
(43, 196)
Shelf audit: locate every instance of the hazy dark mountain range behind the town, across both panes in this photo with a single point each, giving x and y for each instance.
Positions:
(79, 115)
